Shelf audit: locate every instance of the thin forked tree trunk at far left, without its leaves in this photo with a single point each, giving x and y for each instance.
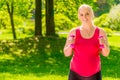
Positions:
(11, 18)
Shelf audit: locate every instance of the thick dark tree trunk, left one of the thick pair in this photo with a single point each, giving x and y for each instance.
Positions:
(38, 14)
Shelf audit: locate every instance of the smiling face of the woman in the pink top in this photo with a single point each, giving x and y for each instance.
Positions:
(85, 15)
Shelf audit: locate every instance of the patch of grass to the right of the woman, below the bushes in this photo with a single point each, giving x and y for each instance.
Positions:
(111, 64)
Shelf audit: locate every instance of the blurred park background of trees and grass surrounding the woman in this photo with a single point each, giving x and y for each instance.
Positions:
(33, 34)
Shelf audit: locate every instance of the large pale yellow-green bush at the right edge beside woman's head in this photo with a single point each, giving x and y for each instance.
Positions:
(110, 20)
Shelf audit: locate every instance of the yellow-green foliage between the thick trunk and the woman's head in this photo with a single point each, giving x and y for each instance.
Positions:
(70, 7)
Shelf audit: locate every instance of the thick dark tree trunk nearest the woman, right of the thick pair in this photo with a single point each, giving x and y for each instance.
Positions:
(50, 25)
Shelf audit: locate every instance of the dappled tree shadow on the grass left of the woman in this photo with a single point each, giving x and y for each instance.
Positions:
(39, 56)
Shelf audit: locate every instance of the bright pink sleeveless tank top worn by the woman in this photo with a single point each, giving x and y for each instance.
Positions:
(86, 58)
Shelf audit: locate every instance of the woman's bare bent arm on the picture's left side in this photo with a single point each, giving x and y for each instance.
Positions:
(67, 49)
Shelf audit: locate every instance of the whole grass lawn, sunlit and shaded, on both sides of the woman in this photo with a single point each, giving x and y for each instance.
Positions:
(43, 59)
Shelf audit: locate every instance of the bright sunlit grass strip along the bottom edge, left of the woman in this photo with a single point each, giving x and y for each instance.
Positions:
(7, 76)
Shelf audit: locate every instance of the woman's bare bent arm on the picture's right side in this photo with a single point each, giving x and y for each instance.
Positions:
(104, 41)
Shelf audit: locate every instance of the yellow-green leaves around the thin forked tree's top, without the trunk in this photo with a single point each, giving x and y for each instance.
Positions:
(21, 7)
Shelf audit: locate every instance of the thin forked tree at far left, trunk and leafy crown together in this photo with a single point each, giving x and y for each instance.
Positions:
(16, 7)
